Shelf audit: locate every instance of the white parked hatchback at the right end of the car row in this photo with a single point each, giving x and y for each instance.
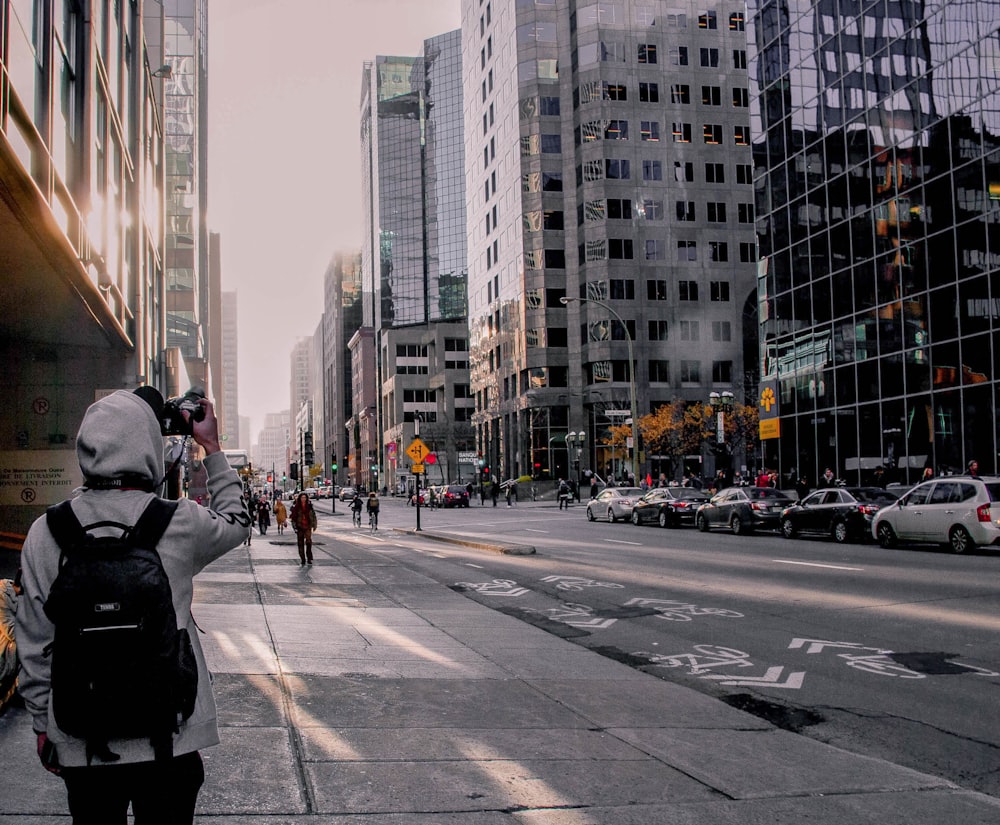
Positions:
(956, 511)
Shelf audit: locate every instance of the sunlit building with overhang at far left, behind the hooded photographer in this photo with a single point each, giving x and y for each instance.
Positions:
(81, 234)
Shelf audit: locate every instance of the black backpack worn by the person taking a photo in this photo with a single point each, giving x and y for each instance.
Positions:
(121, 668)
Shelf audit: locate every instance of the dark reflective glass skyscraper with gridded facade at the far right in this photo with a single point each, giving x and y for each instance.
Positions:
(876, 145)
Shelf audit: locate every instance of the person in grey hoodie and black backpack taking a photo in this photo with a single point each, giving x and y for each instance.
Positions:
(74, 693)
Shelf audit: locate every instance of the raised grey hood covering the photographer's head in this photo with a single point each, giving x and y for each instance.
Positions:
(119, 437)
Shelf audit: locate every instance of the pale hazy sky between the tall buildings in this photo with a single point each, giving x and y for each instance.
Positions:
(284, 159)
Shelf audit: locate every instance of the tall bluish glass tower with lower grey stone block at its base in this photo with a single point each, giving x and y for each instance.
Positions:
(414, 262)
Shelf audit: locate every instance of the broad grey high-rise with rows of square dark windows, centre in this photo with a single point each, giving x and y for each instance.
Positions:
(610, 211)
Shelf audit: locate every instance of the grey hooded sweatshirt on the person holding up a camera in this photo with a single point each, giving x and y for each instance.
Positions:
(120, 438)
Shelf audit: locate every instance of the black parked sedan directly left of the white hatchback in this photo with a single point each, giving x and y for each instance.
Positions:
(843, 513)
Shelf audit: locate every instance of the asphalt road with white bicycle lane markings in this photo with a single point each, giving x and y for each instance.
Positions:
(887, 653)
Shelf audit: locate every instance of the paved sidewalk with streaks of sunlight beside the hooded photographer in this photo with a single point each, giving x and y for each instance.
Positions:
(358, 692)
